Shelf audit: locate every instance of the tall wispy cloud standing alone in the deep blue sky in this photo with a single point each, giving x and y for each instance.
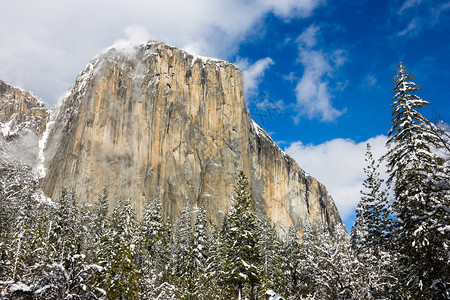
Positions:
(313, 90)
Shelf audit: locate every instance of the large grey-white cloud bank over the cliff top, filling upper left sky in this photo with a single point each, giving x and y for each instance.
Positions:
(46, 43)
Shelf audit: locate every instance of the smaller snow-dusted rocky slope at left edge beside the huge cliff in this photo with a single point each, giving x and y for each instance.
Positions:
(23, 119)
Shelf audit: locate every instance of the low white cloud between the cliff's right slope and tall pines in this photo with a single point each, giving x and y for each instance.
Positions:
(339, 165)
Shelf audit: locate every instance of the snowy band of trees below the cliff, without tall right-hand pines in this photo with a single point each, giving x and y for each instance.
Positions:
(69, 250)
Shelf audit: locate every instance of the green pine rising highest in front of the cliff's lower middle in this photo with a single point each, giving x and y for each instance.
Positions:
(242, 253)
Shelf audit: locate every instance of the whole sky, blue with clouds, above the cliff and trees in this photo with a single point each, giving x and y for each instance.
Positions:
(318, 74)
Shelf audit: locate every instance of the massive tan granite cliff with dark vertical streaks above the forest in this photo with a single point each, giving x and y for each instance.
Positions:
(156, 119)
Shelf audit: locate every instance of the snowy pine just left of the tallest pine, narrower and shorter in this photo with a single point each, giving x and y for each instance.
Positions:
(372, 222)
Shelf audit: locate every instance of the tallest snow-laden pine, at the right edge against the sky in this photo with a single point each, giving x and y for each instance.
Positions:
(417, 175)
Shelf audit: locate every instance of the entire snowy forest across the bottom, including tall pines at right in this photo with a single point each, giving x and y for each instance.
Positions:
(398, 248)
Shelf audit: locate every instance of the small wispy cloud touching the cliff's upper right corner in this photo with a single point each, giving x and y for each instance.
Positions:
(253, 74)
